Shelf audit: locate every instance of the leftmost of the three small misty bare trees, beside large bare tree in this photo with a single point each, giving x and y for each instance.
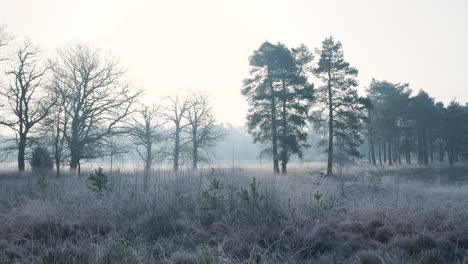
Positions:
(146, 131)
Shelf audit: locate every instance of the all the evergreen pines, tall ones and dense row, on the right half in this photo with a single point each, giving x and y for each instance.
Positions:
(283, 100)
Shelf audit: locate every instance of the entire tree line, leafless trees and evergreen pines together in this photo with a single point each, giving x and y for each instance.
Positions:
(79, 104)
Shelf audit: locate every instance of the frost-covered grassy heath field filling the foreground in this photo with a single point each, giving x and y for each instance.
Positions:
(239, 215)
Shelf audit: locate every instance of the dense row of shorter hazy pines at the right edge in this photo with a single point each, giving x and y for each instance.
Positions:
(403, 126)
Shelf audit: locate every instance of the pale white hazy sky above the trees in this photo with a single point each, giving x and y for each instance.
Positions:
(205, 44)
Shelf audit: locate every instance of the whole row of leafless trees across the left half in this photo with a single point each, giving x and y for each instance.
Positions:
(79, 103)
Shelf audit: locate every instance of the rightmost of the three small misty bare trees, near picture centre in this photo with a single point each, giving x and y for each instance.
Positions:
(202, 127)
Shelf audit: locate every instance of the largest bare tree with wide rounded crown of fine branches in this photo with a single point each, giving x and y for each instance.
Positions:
(96, 99)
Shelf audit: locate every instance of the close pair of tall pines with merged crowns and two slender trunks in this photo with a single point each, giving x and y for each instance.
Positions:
(279, 95)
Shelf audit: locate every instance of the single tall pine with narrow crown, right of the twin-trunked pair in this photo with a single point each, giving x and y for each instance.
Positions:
(341, 110)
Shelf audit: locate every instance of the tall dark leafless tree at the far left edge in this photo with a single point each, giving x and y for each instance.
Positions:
(27, 102)
